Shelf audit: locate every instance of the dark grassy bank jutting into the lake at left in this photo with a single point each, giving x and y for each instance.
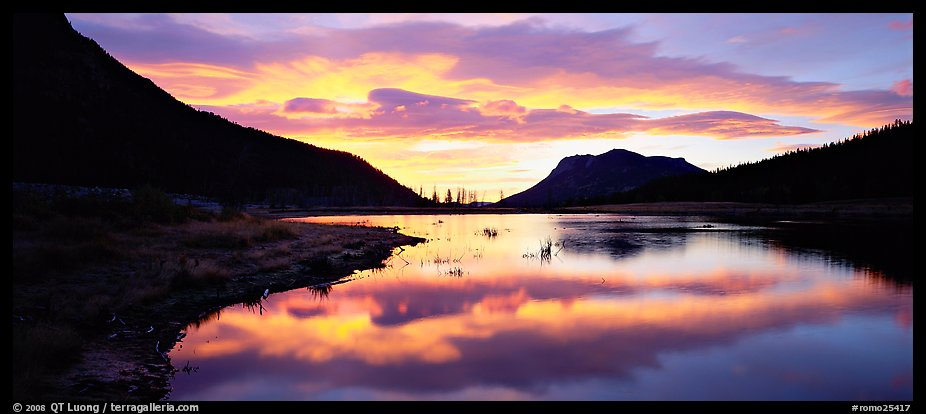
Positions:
(102, 288)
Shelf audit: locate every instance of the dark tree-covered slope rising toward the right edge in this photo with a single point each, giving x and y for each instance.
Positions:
(874, 164)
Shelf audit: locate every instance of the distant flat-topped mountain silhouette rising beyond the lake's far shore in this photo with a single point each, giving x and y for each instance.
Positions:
(581, 177)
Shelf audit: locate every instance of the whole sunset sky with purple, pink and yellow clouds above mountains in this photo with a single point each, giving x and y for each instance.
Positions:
(492, 102)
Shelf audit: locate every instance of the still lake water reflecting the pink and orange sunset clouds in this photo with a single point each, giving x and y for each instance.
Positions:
(622, 308)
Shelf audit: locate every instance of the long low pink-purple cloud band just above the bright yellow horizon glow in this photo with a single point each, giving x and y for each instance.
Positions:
(399, 113)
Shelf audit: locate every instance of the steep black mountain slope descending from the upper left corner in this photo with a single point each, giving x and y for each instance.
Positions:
(80, 117)
